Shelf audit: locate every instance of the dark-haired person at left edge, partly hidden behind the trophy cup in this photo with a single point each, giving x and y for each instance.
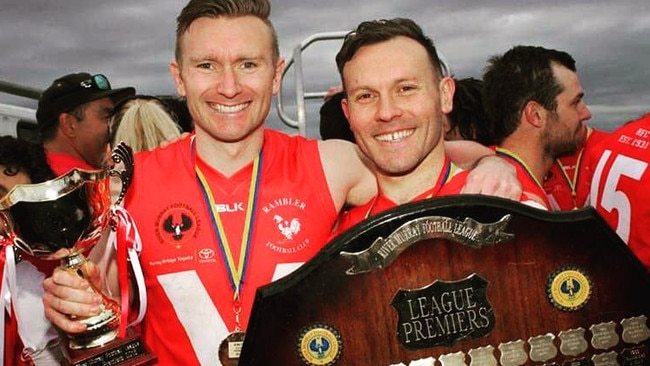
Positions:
(30, 339)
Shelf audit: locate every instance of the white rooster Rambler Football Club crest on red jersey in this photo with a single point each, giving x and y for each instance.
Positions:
(286, 216)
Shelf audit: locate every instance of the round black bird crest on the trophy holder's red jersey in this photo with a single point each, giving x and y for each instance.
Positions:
(176, 224)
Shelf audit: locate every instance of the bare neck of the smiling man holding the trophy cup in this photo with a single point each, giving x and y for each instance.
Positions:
(228, 157)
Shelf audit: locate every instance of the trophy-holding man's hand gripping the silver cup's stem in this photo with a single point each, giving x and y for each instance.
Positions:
(67, 295)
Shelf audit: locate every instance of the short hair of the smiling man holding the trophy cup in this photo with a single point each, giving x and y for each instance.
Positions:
(196, 9)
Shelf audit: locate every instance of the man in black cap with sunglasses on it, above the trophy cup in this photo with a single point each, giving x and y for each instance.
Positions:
(72, 116)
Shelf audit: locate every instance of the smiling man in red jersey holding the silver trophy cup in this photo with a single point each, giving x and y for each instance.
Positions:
(233, 206)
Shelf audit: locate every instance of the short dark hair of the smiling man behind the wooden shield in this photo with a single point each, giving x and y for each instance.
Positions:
(377, 31)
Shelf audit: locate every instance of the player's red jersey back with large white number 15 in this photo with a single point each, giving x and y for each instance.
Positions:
(618, 170)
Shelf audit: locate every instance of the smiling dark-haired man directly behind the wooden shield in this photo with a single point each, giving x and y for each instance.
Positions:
(395, 99)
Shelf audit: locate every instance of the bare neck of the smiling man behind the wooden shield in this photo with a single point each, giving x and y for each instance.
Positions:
(403, 188)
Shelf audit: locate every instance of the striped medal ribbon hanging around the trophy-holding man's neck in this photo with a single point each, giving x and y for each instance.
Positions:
(236, 272)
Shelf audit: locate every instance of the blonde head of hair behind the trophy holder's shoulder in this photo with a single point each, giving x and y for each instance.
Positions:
(143, 122)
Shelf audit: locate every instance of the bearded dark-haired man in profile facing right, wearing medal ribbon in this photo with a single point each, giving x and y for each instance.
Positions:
(534, 101)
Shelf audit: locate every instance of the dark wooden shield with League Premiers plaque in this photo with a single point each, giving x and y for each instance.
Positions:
(465, 280)
